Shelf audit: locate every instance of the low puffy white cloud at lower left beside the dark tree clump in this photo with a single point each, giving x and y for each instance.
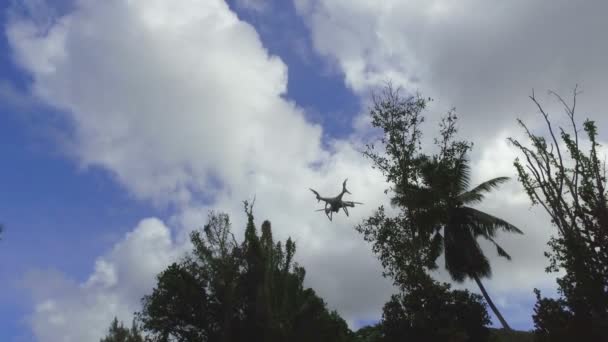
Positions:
(66, 310)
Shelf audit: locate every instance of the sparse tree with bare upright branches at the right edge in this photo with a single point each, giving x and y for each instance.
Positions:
(570, 185)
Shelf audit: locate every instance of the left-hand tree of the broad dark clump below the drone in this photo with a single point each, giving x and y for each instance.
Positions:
(193, 299)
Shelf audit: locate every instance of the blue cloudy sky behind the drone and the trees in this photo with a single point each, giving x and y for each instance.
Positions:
(76, 184)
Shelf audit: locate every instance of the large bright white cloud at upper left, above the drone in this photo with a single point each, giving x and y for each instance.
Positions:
(171, 97)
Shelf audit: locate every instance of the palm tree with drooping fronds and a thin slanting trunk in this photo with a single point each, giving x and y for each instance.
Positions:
(443, 203)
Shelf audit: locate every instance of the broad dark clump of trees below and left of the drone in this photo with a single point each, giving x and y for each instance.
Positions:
(226, 291)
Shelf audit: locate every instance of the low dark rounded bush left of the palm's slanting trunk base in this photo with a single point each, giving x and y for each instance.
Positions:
(435, 313)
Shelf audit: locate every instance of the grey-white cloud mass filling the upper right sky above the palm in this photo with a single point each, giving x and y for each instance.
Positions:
(481, 57)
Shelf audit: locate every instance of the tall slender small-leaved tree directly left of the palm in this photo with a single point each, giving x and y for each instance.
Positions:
(402, 241)
